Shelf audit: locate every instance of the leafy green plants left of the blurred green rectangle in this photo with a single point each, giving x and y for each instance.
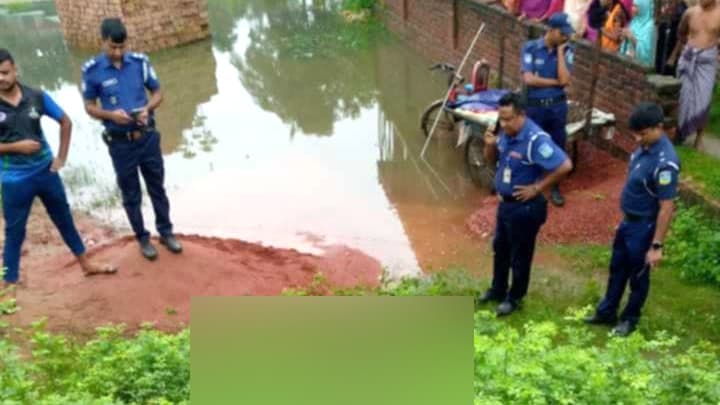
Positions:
(150, 368)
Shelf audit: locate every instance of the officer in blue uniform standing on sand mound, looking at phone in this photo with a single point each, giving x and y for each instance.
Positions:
(120, 80)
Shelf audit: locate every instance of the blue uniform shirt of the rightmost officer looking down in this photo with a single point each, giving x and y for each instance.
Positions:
(653, 176)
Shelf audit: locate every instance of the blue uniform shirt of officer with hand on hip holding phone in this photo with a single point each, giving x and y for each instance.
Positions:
(524, 159)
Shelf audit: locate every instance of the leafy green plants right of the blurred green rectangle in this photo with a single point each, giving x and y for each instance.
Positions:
(529, 366)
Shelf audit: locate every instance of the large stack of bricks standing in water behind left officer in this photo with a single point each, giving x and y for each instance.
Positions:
(152, 24)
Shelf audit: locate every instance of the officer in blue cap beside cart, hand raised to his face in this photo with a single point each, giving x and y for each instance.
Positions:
(546, 67)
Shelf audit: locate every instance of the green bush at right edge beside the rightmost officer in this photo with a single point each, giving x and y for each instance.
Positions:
(693, 246)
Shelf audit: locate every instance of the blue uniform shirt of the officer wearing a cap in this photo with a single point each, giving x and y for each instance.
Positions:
(538, 59)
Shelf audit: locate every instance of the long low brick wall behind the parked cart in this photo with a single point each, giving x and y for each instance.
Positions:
(442, 30)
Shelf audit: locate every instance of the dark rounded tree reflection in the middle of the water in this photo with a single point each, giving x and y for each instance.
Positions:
(296, 66)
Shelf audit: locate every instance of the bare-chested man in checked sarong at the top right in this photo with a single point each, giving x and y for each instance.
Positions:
(696, 55)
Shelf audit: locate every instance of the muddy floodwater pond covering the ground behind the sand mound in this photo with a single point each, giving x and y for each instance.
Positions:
(289, 128)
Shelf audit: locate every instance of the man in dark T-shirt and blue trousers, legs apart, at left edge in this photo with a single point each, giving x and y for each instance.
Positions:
(28, 169)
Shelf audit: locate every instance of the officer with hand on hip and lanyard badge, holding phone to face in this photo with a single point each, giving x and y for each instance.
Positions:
(528, 164)
